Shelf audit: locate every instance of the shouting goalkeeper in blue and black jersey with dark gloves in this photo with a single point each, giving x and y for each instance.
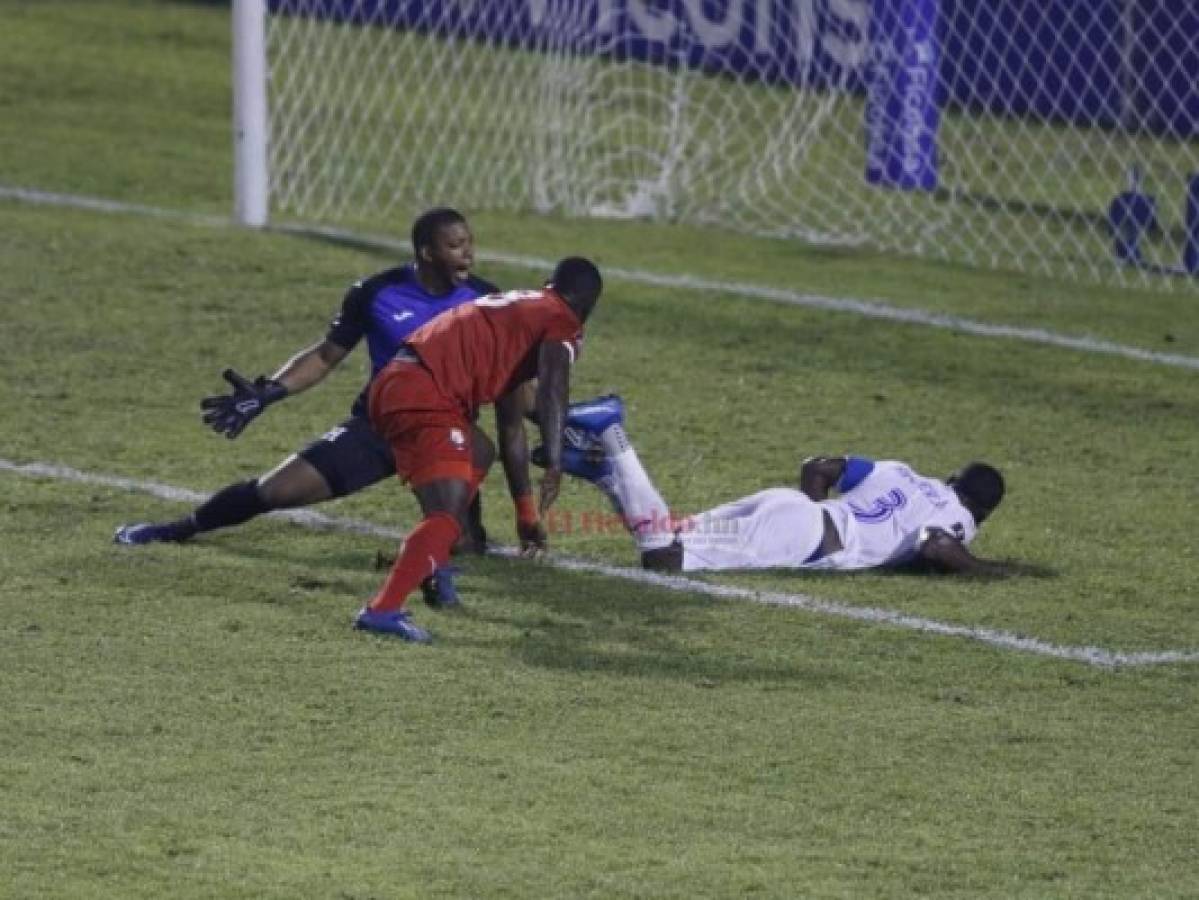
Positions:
(384, 309)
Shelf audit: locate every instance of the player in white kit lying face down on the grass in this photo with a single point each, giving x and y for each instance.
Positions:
(884, 515)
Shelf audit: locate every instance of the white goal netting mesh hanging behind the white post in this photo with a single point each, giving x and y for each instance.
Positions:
(1044, 136)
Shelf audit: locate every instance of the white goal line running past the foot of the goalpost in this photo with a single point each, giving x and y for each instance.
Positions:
(867, 309)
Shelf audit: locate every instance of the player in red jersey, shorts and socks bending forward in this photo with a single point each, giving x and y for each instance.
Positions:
(425, 401)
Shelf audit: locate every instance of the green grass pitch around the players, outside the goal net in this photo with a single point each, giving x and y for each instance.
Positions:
(201, 721)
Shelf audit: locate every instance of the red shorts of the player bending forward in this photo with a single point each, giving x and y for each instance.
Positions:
(429, 433)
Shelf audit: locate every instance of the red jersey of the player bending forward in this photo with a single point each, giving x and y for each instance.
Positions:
(483, 349)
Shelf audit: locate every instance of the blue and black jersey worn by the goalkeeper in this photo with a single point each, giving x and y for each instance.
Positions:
(387, 309)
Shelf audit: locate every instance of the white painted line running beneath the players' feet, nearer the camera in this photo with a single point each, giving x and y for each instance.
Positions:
(873, 615)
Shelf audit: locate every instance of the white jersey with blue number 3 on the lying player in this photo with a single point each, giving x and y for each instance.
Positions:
(881, 518)
